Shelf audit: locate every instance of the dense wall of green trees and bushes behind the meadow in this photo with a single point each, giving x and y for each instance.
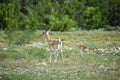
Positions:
(58, 15)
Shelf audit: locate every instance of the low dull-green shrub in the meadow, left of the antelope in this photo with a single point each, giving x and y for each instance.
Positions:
(18, 37)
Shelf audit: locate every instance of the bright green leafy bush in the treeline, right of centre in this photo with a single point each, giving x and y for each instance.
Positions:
(92, 18)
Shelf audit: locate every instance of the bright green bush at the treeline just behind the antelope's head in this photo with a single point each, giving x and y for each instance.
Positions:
(62, 23)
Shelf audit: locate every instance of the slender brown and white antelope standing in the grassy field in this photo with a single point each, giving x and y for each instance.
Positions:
(55, 46)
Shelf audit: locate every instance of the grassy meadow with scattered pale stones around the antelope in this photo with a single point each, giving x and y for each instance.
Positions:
(88, 55)
